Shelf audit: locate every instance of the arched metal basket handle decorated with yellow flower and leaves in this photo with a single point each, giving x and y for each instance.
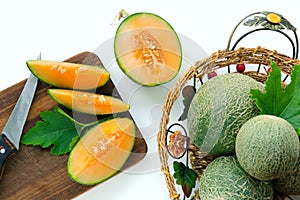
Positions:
(267, 21)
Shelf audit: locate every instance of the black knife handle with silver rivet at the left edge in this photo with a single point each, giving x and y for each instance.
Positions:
(6, 150)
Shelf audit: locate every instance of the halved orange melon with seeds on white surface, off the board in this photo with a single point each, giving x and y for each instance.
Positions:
(147, 49)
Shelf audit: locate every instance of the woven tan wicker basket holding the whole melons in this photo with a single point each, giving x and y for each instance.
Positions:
(221, 59)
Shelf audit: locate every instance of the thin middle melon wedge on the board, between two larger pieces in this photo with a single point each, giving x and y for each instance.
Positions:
(86, 102)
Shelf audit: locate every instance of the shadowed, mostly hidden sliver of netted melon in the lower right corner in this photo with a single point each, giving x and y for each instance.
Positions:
(289, 184)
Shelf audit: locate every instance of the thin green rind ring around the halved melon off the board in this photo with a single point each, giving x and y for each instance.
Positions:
(123, 68)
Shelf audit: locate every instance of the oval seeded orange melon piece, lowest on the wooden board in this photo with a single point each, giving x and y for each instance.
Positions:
(102, 151)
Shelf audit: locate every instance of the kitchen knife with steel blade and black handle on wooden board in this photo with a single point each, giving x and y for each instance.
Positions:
(12, 131)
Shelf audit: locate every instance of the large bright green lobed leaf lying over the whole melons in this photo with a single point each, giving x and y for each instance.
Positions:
(276, 101)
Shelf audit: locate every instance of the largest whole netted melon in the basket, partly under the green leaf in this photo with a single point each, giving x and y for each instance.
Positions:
(218, 110)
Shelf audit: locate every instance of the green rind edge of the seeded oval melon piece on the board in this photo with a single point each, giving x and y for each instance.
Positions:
(108, 175)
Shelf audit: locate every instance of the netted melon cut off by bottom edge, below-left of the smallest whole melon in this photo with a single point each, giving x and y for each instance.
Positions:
(224, 178)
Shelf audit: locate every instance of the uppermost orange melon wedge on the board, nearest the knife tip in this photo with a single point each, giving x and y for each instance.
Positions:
(68, 75)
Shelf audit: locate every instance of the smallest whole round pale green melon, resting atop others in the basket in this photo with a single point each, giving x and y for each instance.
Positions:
(267, 147)
